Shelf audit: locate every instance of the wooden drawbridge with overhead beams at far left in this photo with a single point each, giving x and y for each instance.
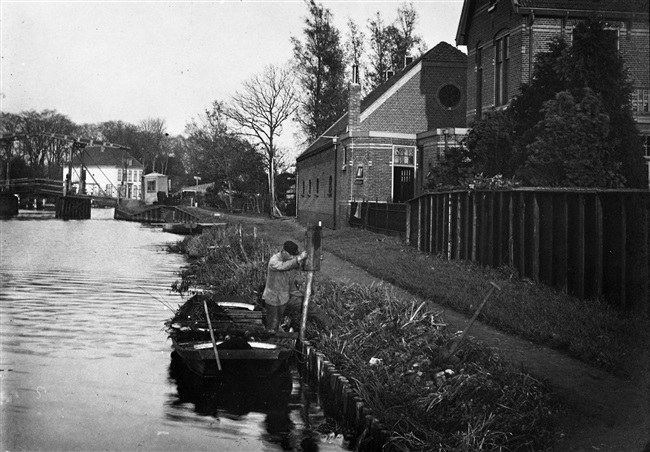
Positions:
(68, 205)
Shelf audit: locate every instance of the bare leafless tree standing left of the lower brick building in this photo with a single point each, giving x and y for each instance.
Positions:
(265, 103)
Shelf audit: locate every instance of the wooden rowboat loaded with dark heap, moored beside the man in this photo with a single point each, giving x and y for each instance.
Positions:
(243, 346)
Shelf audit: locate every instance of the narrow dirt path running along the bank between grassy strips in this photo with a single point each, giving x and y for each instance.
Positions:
(605, 413)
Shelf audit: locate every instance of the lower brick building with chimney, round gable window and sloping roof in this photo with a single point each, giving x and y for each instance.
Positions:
(381, 148)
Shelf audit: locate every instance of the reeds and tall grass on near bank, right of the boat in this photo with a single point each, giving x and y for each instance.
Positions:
(390, 349)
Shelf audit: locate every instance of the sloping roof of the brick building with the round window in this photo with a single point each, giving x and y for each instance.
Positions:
(443, 52)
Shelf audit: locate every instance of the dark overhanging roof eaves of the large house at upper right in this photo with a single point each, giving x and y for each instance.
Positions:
(583, 8)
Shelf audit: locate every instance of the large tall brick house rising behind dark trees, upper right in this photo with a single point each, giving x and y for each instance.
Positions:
(503, 36)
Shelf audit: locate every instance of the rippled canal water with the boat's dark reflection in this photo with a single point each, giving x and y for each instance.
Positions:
(85, 364)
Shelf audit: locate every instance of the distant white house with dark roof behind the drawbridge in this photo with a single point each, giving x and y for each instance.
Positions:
(105, 171)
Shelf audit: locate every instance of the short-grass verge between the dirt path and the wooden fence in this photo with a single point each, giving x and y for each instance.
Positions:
(588, 330)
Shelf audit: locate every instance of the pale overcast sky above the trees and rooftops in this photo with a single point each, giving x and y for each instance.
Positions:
(132, 60)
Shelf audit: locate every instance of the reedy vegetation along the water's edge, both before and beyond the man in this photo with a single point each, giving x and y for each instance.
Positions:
(396, 353)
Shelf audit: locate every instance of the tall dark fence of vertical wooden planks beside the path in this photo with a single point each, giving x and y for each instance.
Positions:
(588, 243)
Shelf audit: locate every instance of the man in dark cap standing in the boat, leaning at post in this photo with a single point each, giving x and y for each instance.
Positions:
(281, 292)
